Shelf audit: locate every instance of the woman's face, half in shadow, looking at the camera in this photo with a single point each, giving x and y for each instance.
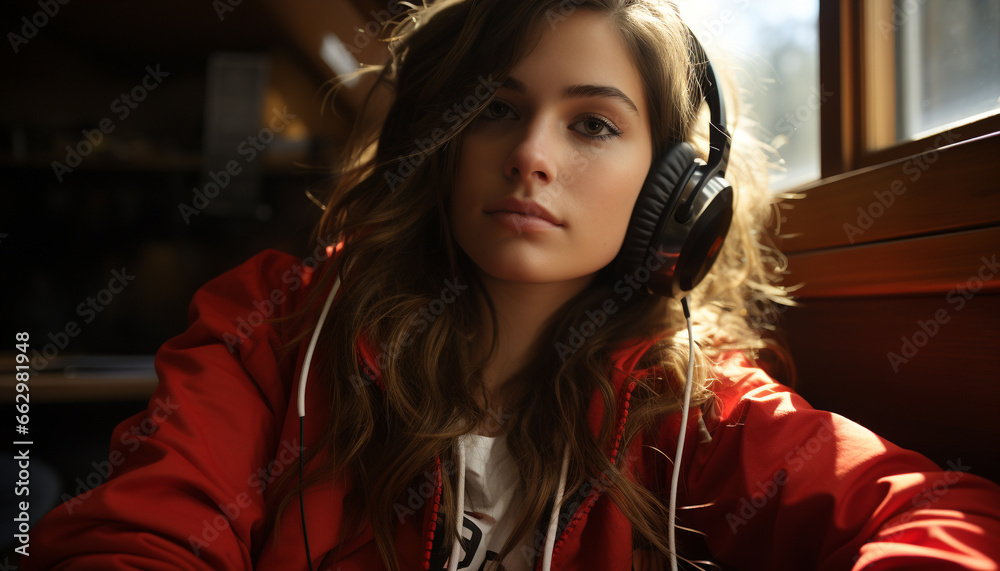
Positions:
(550, 171)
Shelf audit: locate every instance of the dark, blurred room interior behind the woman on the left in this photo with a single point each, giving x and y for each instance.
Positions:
(115, 119)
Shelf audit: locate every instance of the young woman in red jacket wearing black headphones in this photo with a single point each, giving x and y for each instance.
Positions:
(487, 382)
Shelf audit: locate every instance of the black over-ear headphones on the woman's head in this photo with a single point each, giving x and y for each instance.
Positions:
(685, 207)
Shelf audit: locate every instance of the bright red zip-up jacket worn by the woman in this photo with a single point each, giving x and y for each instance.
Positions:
(781, 485)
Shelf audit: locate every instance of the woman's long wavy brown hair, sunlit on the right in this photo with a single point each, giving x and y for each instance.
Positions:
(389, 206)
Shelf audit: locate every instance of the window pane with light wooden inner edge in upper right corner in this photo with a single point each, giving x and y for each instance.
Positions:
(940, 59)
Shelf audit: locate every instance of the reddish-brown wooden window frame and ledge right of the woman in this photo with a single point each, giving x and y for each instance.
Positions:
(940, 185)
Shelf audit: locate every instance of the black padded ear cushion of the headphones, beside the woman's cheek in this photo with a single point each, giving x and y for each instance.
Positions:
(657, 199)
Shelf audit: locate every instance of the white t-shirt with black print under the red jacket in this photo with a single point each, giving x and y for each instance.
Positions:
(491, 506)
